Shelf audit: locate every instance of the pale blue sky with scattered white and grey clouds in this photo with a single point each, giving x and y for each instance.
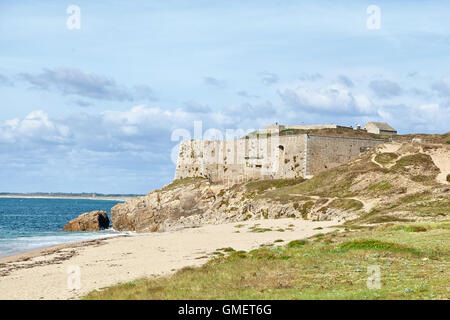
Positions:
(93, 98)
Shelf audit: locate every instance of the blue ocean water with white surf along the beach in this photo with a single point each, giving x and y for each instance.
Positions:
(27, 224)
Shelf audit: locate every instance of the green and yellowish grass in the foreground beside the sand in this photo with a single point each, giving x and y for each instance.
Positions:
(413, 265)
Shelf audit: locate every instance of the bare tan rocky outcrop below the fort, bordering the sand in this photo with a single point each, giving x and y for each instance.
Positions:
(199, 203)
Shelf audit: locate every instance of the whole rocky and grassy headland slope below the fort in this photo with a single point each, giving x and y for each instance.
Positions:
(389, 183)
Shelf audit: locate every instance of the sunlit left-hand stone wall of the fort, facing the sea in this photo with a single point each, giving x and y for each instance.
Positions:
(232, 161)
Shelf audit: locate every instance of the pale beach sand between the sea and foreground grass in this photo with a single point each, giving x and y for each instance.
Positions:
(43, 274)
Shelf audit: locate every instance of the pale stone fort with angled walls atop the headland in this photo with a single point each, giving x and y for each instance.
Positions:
(267, 154)
